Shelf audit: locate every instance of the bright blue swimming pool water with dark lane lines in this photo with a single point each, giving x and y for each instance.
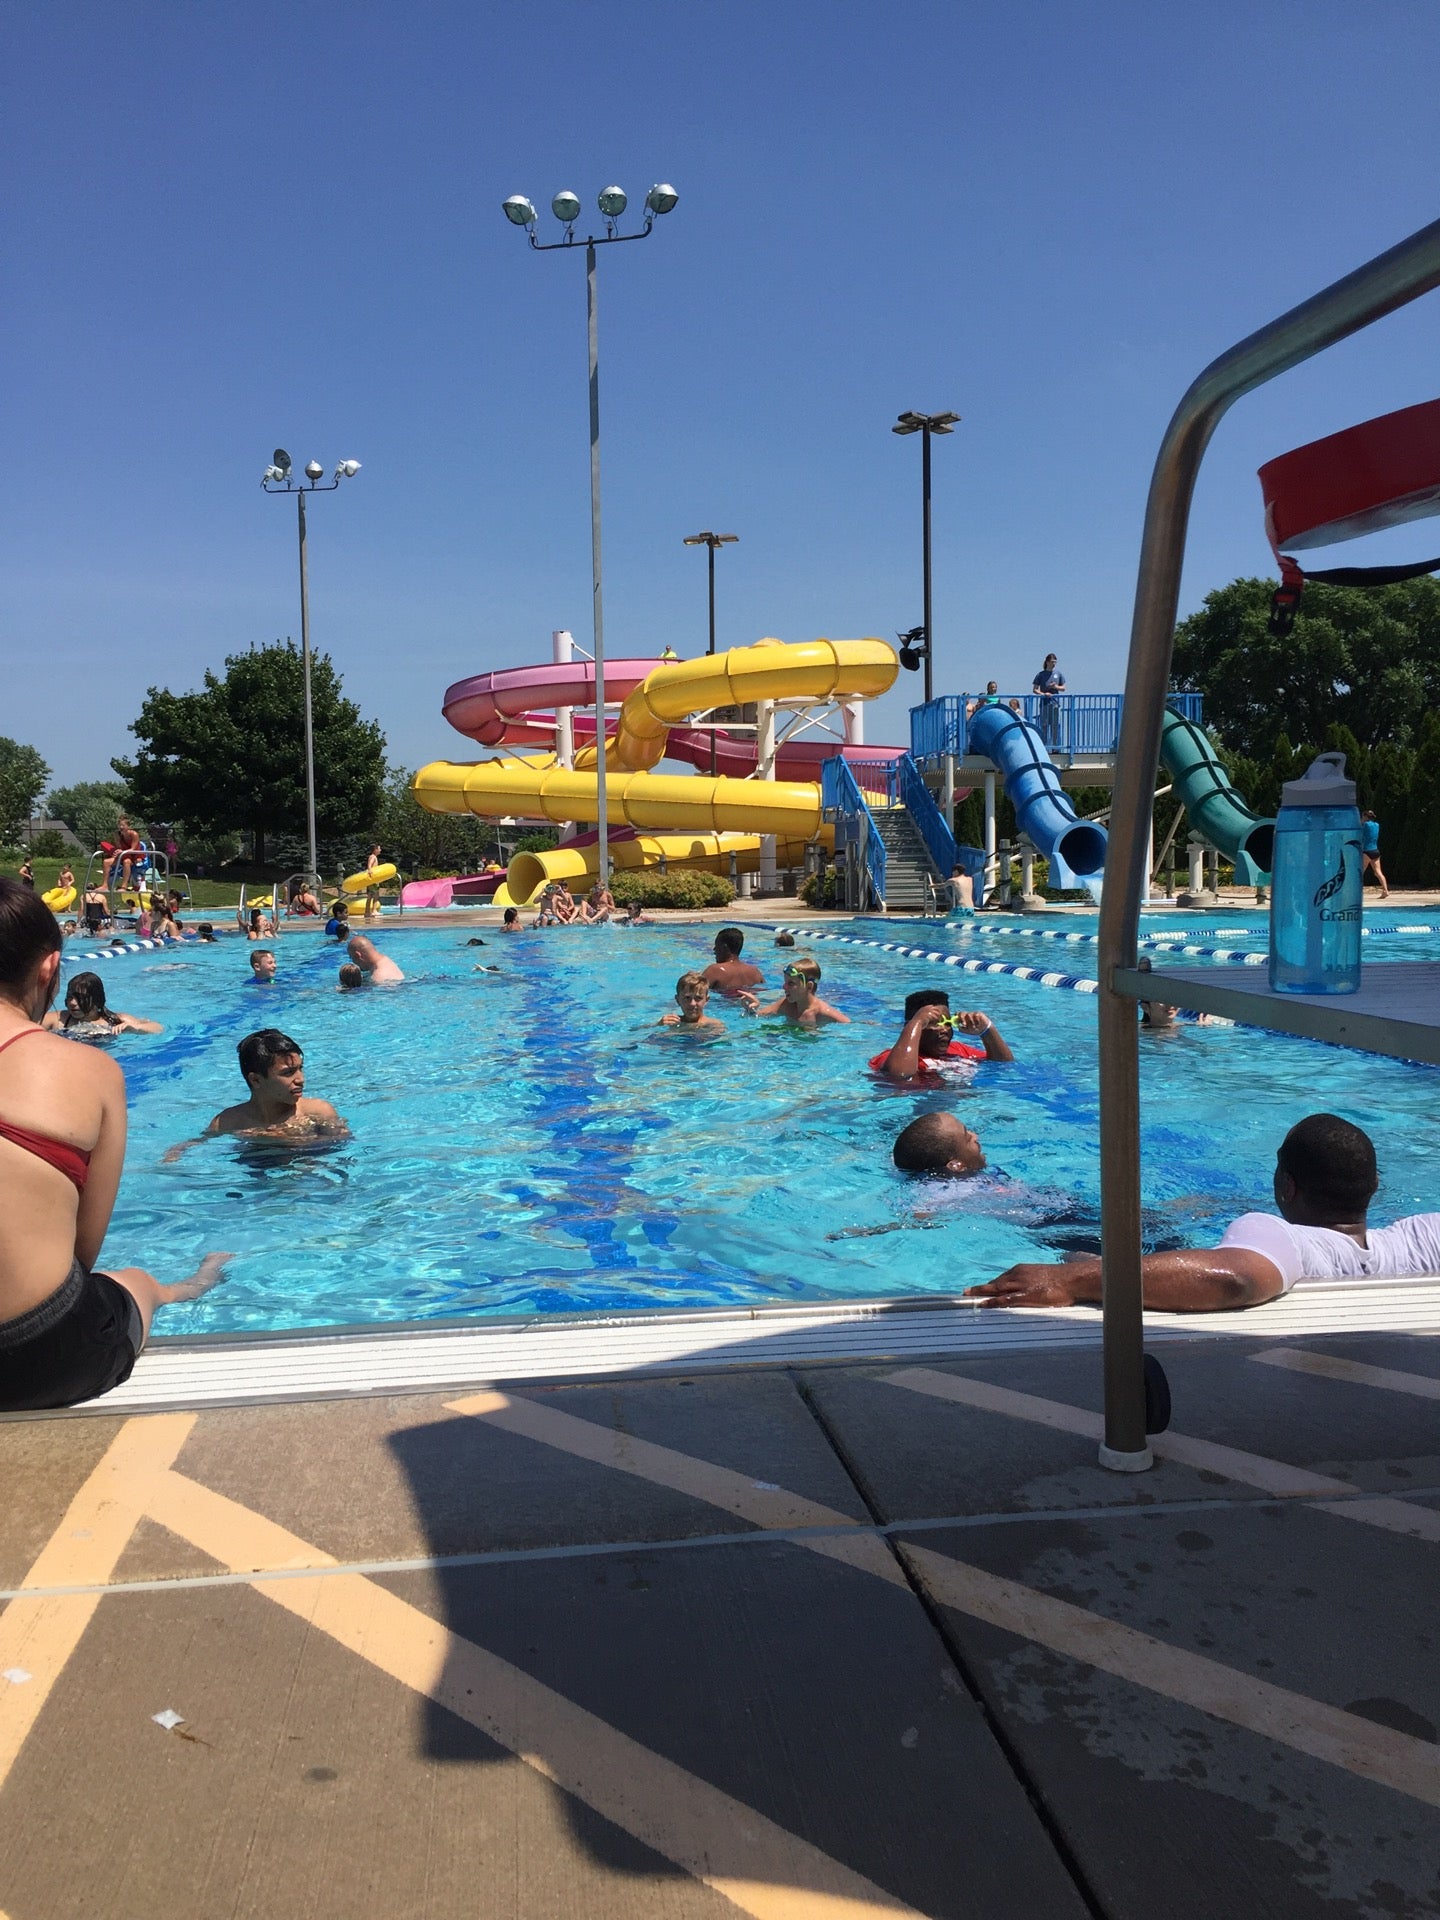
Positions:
(525, 1143)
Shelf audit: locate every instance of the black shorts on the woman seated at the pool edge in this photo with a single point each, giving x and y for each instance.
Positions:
(76, 1345)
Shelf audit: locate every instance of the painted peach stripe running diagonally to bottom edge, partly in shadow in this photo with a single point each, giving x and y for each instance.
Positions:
(757, 1865)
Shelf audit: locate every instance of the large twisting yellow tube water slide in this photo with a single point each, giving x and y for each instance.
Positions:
(684, 819)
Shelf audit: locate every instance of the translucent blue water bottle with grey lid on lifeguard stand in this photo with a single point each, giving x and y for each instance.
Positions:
(1316, 884)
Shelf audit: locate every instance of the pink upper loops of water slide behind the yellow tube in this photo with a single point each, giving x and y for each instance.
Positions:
(514, 709)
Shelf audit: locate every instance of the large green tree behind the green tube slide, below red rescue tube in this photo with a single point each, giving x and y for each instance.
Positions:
(1358, 658)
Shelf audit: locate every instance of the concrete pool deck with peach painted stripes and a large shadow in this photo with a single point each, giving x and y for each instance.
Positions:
(790, 1641)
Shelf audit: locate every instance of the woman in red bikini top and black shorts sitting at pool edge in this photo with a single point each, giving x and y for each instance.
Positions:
(66, 1332)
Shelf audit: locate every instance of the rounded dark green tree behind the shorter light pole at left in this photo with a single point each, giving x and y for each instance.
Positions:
(233, 756)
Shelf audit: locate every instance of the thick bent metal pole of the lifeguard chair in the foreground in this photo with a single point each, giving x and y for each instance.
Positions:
(1364, 297)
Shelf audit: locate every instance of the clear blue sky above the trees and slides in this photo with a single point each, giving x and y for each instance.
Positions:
(235, 228)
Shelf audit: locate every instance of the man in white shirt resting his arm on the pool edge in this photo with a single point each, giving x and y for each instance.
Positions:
(1326, 1180)
